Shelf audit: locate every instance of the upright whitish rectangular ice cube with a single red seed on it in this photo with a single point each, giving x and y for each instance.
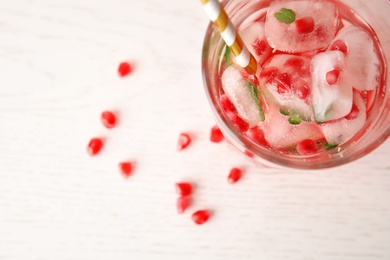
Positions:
(331, 91)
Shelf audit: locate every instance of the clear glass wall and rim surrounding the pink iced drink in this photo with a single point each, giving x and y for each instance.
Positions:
(377, 127)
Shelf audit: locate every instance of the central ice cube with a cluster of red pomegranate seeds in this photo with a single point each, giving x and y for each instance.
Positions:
(285, 80)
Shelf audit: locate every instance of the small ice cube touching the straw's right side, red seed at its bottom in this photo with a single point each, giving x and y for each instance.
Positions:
(254, 38)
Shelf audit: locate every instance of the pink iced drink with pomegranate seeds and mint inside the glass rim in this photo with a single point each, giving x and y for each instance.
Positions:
(320, 69)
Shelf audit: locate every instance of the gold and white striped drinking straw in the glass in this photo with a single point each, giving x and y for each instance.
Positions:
(218, 16)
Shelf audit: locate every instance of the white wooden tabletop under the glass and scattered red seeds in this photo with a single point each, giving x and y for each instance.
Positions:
(58, 62)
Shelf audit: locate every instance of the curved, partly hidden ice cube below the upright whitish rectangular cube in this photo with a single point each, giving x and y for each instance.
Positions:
(341, 130)
